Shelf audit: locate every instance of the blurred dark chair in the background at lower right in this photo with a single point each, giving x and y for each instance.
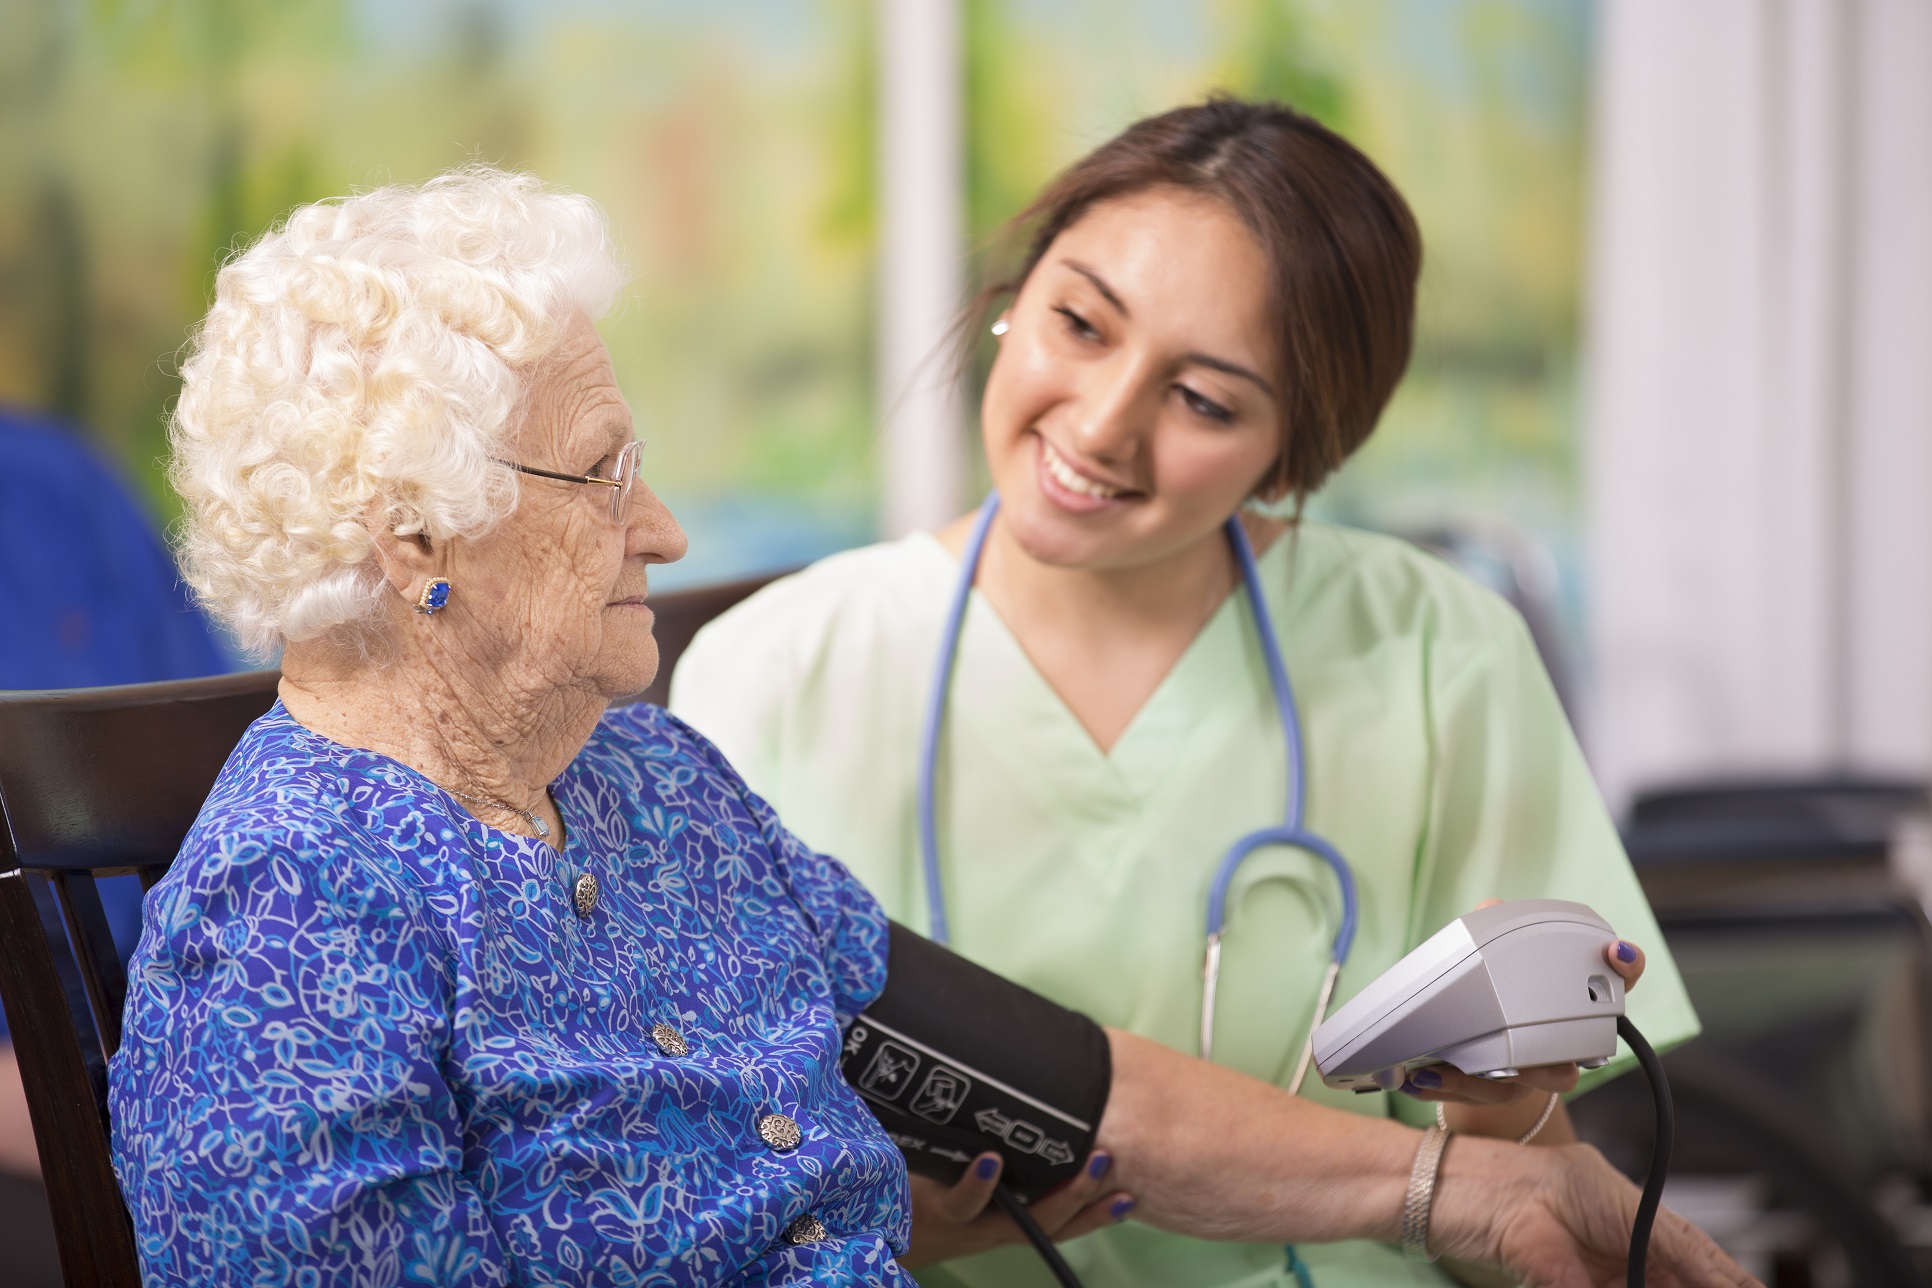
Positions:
(1805, 1109)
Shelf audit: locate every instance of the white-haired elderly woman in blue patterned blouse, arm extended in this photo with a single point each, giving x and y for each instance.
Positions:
(469, 978)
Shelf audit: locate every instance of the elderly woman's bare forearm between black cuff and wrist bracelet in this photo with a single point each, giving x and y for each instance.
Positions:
(1214, 1154)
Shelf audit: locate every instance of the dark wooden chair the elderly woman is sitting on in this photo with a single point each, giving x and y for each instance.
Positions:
(99, 783)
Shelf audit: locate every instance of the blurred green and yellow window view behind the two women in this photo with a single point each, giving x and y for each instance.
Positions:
(733, 146)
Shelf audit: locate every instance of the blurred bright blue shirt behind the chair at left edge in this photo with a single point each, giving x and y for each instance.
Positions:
(88, 592)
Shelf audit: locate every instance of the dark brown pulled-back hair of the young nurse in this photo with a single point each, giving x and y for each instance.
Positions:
(1342, 246)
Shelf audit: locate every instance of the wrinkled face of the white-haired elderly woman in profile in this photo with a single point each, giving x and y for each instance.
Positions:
(559, 588)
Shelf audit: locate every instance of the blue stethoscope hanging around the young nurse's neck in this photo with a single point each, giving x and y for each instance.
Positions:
(1292, 833)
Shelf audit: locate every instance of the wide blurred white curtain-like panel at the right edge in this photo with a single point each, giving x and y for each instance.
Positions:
(1761, 403)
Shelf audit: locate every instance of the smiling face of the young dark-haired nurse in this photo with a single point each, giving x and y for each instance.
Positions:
(1133, 405)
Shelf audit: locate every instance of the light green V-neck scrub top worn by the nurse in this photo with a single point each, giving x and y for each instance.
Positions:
(1438, 764)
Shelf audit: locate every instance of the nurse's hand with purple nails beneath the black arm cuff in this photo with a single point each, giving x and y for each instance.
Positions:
(959, 1219)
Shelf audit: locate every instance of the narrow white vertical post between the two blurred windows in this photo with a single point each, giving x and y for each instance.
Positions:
(921, 262)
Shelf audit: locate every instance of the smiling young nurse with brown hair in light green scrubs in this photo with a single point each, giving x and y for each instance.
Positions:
(1208, 312)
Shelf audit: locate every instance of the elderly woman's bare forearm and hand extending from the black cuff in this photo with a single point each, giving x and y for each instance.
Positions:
(1214, 1154)
